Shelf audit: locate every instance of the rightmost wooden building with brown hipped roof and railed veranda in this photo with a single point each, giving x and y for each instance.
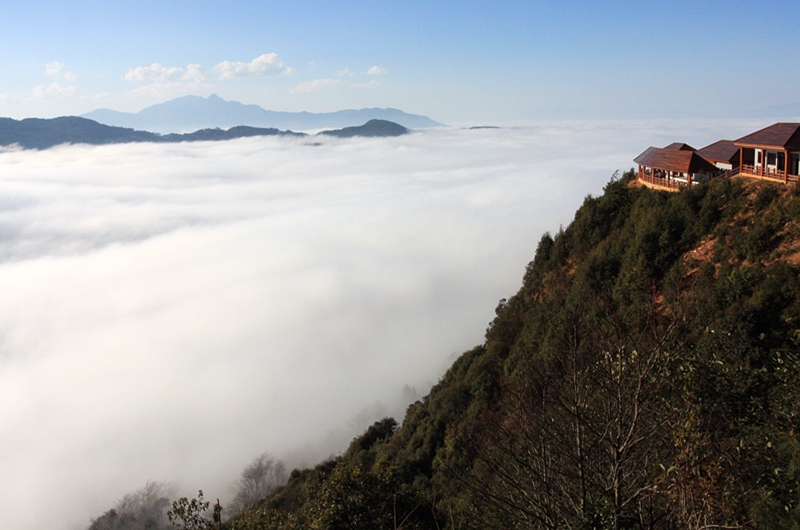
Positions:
(772, 153)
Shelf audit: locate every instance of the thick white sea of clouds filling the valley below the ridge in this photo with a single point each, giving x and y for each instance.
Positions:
(168, 312)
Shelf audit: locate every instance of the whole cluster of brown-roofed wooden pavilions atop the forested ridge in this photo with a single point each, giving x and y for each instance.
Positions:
(772, 153)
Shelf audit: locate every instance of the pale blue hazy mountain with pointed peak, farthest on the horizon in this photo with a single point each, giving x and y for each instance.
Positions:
(190, 113)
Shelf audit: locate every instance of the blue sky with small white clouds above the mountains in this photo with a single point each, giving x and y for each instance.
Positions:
(454, 61)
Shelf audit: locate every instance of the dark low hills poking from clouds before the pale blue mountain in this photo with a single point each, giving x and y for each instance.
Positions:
(35, 133)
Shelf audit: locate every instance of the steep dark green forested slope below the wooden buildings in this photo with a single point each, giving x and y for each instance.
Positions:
(644, 376)
